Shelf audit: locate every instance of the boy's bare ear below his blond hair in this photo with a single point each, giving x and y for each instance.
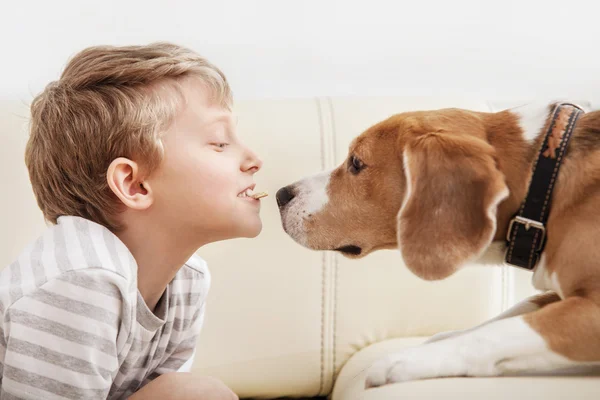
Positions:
(125, 180)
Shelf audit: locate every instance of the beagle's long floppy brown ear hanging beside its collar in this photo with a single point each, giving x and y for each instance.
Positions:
(448, 215)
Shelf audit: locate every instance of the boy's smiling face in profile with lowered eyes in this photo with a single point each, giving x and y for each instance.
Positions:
(199, 187)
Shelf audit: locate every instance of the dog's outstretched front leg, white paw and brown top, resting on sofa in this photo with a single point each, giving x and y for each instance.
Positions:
(559, 336)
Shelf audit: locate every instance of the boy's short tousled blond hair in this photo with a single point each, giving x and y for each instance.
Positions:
(109, 102)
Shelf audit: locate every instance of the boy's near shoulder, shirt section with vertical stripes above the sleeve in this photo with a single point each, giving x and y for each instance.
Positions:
(75, 250)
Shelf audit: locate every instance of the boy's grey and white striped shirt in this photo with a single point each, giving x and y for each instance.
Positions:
(74, 325)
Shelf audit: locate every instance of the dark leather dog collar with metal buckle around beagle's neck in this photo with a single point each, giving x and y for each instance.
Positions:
(526, 236)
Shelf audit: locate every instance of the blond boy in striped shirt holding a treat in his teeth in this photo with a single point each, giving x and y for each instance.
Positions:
(134, 159)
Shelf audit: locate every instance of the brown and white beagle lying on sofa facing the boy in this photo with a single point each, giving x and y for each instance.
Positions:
(444, 187)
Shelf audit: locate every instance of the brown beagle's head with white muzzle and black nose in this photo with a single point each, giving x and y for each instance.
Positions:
(425, 182)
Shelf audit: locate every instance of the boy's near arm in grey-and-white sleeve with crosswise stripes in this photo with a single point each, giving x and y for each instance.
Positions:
(61, 340)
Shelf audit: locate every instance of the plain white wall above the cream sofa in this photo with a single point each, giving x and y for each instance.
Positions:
(514, 49)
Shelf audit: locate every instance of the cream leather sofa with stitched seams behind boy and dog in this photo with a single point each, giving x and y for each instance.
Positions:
(286, 321)
